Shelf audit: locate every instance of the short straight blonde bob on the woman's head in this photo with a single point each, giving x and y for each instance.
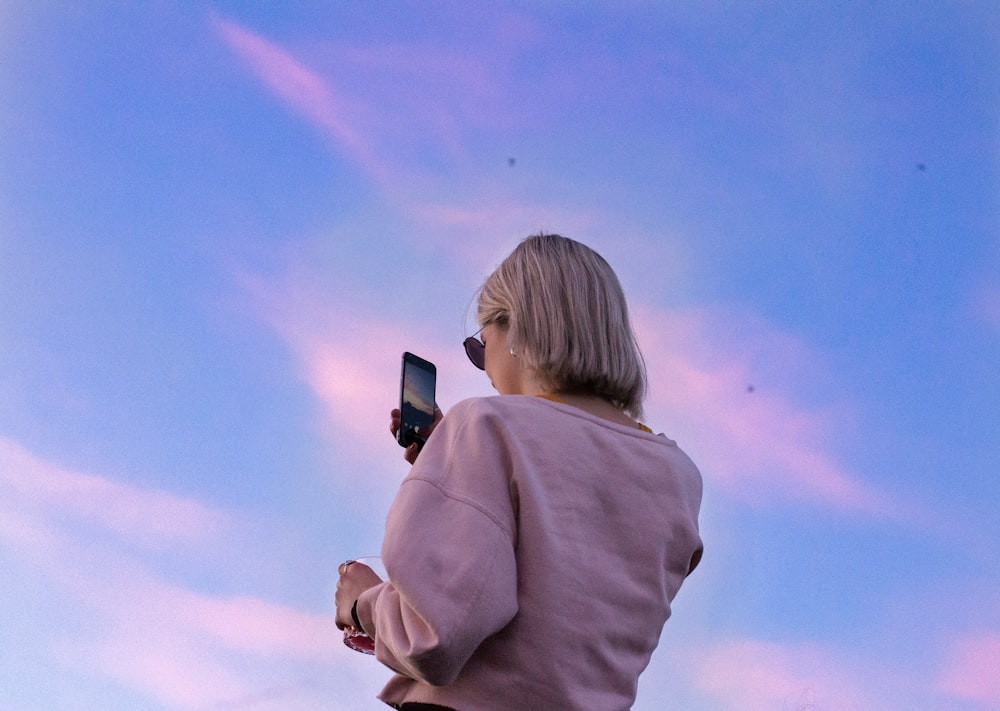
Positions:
(568, 320)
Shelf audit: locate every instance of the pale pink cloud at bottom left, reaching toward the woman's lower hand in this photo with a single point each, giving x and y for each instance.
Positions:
(193, 650)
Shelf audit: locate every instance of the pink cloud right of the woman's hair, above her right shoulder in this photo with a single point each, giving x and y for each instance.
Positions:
(756, 443)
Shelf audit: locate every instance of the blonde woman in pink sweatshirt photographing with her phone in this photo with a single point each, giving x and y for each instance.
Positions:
(536, 544)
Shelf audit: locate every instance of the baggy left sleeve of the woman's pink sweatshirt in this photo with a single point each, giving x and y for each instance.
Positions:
(449, 552)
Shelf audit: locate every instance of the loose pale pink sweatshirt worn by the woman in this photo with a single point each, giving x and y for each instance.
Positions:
(533, 552)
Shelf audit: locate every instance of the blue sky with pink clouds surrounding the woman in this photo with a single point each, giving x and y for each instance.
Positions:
(221, 223)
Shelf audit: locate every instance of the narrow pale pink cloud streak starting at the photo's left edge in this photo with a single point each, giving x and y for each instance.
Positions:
(146, 516)
